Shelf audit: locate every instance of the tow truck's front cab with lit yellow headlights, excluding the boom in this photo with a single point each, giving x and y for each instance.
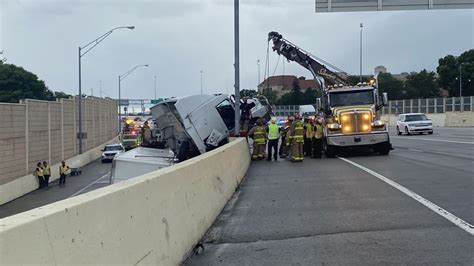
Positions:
(353, 120)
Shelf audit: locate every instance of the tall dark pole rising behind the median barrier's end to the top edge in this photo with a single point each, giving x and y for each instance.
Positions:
(236, 68)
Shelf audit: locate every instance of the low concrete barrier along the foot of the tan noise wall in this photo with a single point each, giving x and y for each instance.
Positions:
(28, 183)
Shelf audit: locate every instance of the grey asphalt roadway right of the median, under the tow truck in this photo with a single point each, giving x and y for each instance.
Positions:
(414, 206)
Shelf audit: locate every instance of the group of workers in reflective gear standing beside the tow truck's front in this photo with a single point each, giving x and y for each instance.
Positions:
(299, 139)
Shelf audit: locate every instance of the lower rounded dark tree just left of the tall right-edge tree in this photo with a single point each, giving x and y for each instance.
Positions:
(421, 85)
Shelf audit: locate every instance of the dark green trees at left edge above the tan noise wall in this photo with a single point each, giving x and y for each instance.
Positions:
(16, 83)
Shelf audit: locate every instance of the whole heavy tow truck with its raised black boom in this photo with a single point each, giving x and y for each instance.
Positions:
(351, 113)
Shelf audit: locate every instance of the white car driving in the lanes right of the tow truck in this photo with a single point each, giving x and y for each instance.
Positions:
(414, 123)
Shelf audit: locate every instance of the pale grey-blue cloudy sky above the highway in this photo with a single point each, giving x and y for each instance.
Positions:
(179, 38)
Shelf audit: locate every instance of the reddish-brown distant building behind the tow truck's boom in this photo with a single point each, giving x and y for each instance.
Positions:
(283, 84)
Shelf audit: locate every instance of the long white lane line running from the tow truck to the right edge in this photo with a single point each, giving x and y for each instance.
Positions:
(430, 205)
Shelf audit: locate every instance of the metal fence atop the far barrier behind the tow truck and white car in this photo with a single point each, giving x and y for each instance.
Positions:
(428, 106)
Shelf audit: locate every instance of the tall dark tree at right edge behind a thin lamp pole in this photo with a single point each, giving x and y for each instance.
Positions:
(448, 72)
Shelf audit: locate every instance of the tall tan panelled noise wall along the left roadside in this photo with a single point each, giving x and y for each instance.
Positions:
(34, 131)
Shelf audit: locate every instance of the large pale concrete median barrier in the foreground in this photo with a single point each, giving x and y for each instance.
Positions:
(154, 219)
